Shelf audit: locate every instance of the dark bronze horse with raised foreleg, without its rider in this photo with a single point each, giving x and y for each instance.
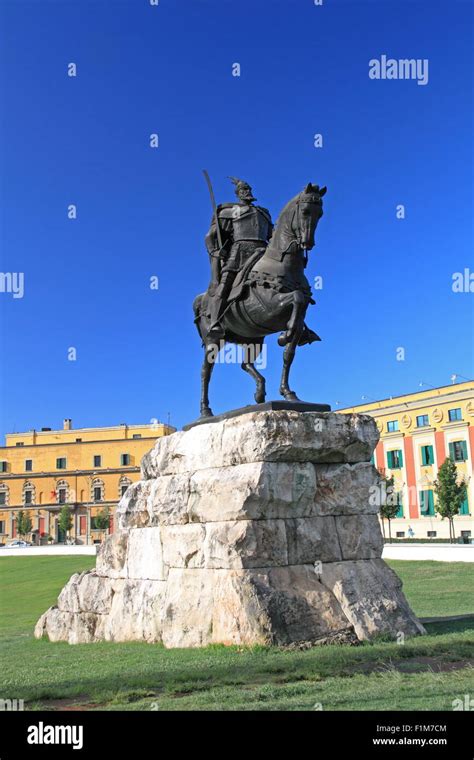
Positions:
(271, 294)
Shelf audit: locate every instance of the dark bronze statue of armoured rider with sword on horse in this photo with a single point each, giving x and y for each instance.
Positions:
(258, 286)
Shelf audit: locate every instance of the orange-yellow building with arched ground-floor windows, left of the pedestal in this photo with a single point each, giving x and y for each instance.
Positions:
(88, 469)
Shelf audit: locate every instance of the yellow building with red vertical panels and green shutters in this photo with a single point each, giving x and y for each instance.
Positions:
(417, 432)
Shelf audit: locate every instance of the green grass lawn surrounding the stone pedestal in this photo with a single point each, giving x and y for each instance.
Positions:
(426, 673)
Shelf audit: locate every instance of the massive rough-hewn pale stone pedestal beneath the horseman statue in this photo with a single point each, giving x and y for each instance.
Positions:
(260, 528)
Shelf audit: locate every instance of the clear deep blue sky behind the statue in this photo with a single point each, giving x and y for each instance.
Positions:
(387, 282)
